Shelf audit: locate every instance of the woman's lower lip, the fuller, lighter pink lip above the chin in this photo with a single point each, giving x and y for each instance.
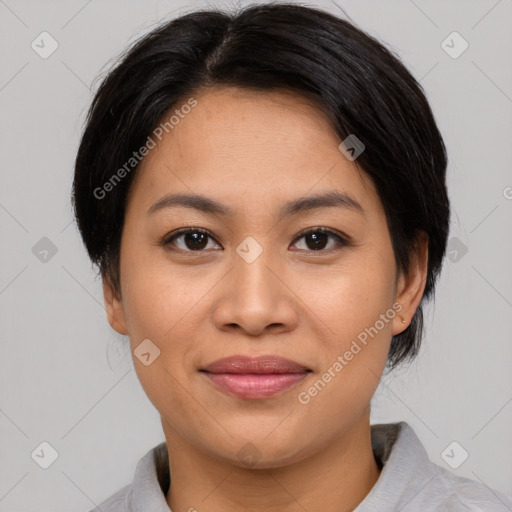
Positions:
(254, 386)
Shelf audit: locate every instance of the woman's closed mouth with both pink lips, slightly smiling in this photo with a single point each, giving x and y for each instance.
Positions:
(255, 378)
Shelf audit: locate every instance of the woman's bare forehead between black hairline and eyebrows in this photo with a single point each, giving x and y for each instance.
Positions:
(249, 144)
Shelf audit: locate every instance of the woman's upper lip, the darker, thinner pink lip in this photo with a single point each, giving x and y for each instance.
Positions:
(261, 364)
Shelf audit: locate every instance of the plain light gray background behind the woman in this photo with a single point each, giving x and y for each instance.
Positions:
(66, 377)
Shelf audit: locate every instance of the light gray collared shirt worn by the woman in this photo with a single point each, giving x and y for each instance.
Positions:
(409, 481)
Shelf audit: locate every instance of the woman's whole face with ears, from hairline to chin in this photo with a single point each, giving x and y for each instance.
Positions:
(252, 282)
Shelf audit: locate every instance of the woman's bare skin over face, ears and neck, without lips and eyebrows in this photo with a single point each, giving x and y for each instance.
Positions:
(253, 151)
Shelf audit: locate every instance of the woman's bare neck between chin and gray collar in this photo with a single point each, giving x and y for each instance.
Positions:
(335, 479)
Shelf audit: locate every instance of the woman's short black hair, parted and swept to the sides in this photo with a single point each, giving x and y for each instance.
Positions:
(361, 86)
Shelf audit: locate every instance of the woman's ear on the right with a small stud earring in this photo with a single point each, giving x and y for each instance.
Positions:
(410, 286)
